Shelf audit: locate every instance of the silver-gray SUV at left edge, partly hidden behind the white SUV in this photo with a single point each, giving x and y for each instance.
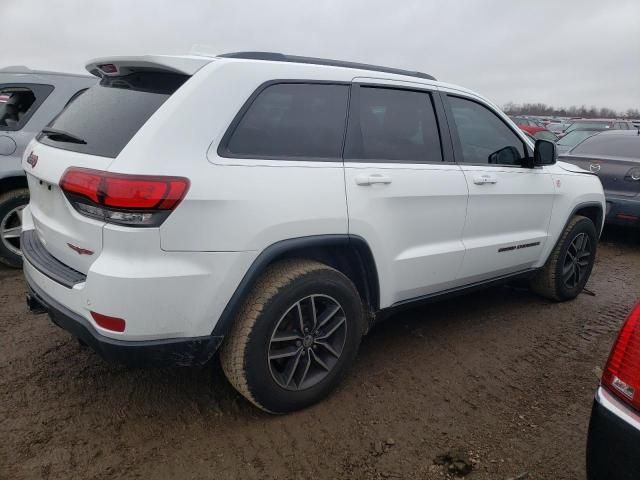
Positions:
(29, 100)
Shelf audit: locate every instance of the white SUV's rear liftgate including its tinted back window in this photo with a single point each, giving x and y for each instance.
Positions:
(88, 134)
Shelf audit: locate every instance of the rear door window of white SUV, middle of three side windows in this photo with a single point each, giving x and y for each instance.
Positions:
(393, 125)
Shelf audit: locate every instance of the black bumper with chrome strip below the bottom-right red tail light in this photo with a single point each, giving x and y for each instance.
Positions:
(613, 445)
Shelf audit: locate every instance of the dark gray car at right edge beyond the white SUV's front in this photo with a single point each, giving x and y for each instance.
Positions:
(614, 156)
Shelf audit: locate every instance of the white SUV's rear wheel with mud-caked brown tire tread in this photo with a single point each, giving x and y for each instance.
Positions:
(296, 336)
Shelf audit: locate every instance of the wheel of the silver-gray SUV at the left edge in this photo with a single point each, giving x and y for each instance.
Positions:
(11, 205)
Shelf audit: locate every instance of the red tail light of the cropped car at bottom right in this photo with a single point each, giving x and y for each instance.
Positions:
(622, 373)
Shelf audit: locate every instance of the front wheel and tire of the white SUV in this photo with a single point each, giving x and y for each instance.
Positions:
(569, 266)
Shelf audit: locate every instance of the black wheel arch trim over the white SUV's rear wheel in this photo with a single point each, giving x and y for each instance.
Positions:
(278, 249)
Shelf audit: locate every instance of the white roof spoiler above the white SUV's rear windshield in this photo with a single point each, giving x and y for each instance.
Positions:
(116, 66)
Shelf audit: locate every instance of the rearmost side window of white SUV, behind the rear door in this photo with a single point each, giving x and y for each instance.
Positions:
(292, 121)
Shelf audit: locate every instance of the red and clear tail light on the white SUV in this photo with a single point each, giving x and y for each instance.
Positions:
(133, 200)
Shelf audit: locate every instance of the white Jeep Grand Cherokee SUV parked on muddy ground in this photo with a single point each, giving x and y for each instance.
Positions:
(276, 206)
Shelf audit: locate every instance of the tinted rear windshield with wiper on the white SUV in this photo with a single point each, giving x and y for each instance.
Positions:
(104, 118)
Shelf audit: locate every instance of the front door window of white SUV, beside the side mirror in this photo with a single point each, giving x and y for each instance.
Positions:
(484, 137)
